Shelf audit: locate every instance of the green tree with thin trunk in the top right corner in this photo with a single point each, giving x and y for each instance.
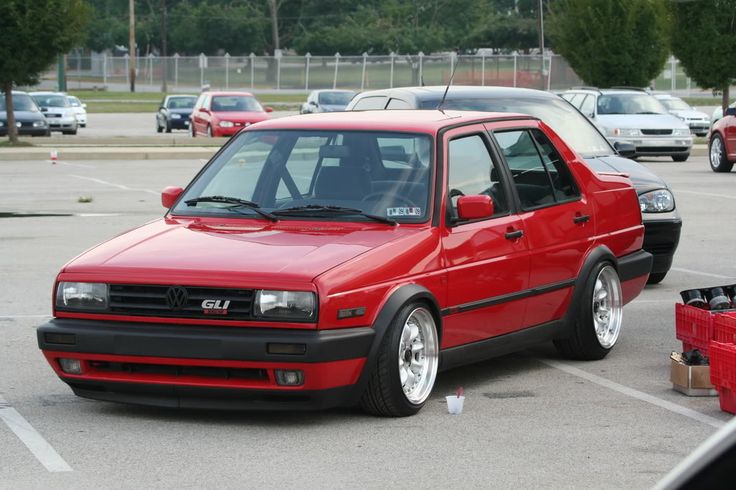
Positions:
(705, 42)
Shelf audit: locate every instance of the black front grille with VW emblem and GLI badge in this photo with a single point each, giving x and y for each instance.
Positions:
(147, 300)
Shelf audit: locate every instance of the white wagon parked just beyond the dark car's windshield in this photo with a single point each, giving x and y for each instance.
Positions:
(634, 116)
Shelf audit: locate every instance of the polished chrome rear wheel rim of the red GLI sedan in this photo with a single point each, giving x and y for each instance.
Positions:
(607, 307)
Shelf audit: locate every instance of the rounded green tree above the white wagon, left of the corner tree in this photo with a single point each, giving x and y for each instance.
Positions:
(611, 42)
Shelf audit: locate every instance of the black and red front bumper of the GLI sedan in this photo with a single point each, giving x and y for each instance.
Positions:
(206, 367)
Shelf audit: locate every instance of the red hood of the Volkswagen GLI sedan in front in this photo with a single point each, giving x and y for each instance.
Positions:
(240, 251)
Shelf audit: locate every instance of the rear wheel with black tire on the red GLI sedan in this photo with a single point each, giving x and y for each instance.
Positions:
(598, 319)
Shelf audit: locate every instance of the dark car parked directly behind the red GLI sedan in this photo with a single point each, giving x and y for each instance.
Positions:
(661, 219)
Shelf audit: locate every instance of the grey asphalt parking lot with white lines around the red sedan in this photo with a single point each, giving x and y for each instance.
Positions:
(531, 419)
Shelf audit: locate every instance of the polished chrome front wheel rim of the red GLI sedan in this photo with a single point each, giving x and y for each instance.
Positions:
(418, 355)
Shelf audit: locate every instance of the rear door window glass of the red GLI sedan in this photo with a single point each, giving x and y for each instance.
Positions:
(540, 176)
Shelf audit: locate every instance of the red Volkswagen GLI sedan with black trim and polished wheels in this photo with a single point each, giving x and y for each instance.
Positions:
(344, 258)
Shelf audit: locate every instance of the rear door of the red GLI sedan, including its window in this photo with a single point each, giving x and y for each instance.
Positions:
(557, 219)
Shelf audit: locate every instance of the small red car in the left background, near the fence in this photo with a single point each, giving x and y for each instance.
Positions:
(225, 113)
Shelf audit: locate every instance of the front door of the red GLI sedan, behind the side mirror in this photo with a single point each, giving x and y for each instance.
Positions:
(487, 260)
